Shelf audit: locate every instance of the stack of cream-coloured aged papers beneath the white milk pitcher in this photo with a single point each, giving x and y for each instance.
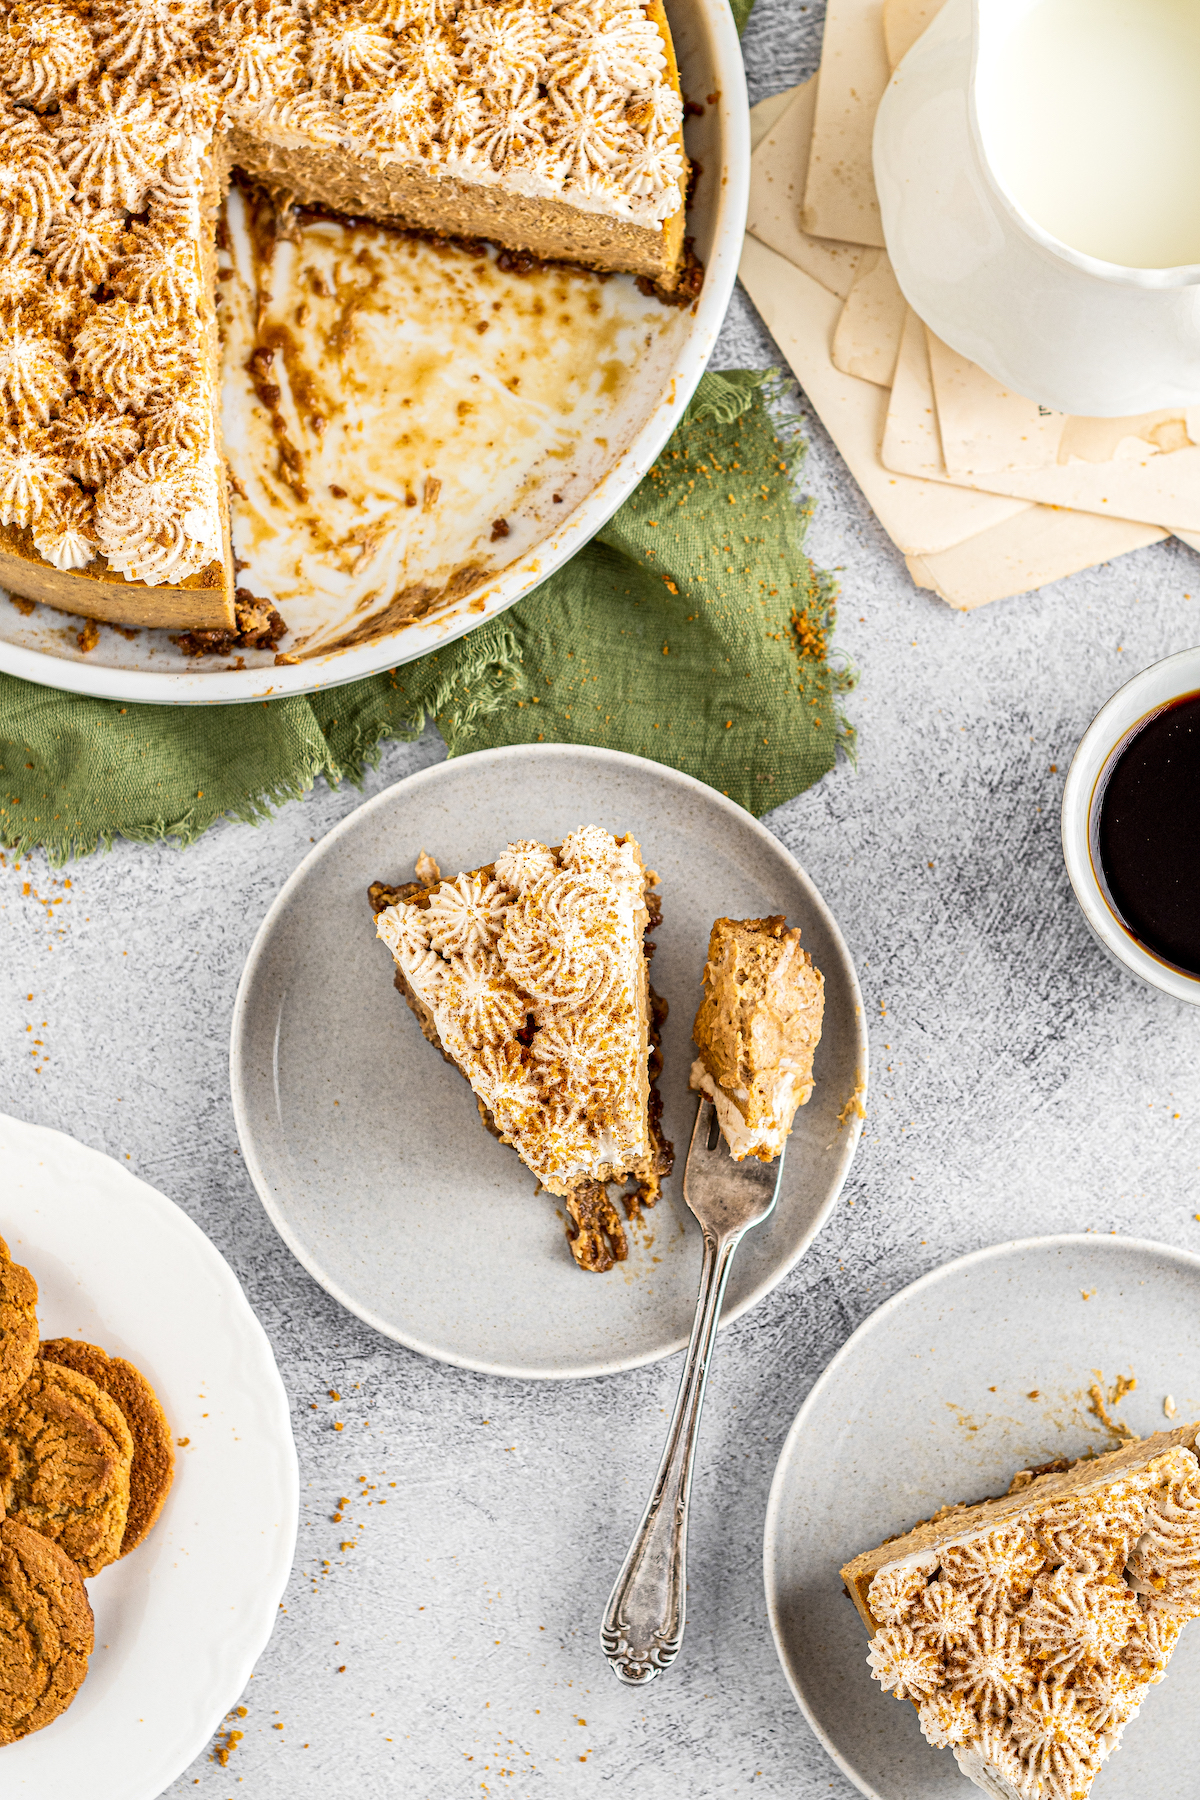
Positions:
(985, 492)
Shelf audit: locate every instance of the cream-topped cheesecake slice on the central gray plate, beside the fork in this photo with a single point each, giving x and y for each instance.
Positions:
(530, 975)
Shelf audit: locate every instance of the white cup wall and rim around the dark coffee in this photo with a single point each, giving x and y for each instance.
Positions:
(1082, 798)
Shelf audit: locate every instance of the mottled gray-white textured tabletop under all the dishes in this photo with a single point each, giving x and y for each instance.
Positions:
(1021, 1086)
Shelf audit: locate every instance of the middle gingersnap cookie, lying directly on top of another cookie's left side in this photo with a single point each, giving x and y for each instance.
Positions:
(66, 1455)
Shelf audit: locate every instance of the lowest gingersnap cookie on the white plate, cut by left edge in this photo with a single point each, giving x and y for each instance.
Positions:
(46, 1632)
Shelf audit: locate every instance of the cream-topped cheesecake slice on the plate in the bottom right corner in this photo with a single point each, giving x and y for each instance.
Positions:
(1028, 1630)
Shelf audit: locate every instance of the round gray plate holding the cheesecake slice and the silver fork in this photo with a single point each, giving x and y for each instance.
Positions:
(368, 1149)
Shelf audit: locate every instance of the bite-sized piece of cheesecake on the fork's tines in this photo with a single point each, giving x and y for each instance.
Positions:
(757, 1032)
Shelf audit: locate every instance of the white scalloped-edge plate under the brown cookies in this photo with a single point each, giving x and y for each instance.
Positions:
(179, 1623)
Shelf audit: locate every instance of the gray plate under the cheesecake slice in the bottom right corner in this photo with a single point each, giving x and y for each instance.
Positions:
(929, 1403)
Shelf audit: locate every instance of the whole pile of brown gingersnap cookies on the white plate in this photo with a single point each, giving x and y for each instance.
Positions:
(85, 1466)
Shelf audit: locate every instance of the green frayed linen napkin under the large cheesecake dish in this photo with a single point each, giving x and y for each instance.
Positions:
(692, 631)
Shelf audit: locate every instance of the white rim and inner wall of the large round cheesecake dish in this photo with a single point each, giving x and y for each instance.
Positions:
(641, 415)
